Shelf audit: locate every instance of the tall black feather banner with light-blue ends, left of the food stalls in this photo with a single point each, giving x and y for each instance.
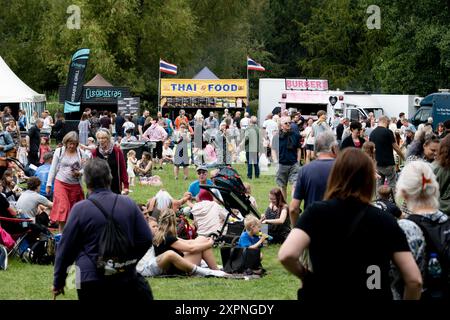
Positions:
(75, 80)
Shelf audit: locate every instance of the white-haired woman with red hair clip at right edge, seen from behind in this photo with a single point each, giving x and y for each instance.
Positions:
(418, 187)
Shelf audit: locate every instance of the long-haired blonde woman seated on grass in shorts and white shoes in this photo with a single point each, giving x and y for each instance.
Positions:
(192, 251)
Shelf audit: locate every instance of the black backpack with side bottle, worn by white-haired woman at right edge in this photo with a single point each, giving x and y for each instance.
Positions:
(437, 238)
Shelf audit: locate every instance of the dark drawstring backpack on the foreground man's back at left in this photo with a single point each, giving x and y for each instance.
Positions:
(114, 245)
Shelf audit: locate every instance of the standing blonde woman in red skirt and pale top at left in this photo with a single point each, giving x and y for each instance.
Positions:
(65, 174)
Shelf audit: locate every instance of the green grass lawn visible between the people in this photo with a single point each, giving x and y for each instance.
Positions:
(33, 282)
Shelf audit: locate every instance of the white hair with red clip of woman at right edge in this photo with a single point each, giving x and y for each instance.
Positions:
(418, 182)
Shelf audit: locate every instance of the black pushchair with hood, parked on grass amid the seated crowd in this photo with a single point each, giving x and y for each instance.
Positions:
(229, 190)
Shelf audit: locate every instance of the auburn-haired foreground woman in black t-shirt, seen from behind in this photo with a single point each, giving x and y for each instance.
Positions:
(351, 243)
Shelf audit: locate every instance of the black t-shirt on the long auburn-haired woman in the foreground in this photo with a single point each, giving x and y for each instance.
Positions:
(342, 265)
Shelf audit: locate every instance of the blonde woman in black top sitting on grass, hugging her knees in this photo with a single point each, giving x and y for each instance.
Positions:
(193, 251)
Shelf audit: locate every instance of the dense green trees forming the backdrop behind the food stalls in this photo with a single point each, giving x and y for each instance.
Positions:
(408, 54)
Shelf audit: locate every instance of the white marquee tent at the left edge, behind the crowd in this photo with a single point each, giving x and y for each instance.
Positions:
(14, 90)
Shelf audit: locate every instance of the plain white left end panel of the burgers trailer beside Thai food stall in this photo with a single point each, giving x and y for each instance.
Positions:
(269, 96)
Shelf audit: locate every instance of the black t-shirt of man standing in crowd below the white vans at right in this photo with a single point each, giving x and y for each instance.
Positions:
(383, 139)
